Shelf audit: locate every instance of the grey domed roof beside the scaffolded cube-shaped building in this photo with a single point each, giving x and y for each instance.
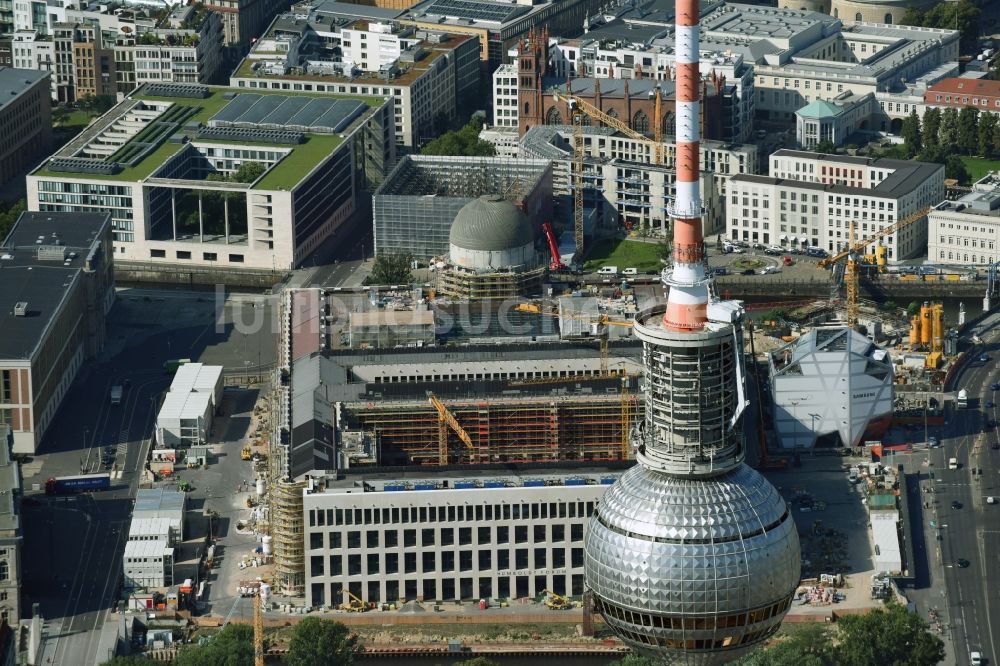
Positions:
(490, 223)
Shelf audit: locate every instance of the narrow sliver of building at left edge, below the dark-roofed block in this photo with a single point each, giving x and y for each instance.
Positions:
(10, 531)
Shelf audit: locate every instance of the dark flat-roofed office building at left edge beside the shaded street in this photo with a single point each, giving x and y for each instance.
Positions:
(56, 277)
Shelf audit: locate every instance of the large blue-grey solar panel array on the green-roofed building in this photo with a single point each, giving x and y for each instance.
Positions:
(280, 112)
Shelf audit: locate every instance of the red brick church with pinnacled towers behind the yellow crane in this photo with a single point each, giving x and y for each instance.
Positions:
(629, 100)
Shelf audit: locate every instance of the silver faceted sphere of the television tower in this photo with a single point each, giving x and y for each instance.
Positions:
(692, 571)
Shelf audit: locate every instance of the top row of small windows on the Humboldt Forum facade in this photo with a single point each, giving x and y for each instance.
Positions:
(424, 514)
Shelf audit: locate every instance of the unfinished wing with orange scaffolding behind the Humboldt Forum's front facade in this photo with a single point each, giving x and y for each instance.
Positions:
(541, 402)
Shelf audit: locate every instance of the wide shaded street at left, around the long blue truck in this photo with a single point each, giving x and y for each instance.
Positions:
(73, 545)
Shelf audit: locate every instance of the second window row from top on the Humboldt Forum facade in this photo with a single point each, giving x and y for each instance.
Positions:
(445, 536)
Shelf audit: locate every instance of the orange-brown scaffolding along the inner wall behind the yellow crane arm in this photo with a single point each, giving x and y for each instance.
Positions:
(544, 428)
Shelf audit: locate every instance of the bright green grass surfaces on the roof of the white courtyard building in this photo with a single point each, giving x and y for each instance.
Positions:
(283, 175)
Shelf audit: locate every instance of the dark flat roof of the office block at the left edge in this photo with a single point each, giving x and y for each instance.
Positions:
(39, 260)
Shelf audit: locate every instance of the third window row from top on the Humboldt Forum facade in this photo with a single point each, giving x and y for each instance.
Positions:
(430, 563)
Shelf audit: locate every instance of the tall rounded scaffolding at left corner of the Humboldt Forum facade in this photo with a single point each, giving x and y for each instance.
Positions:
(288, 534)
